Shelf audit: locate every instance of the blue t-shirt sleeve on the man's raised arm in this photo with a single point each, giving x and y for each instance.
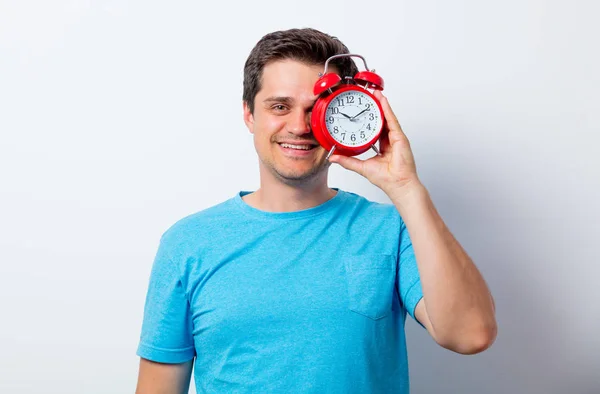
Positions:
(409, 281)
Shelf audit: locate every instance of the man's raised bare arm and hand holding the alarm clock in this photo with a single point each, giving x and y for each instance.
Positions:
(457, 308)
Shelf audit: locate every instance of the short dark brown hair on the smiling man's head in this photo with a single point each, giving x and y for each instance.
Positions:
(306, 45)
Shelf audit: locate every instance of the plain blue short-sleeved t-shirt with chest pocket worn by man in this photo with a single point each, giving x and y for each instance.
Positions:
(312, 301)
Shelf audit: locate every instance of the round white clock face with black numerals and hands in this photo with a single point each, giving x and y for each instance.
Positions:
(353, 118)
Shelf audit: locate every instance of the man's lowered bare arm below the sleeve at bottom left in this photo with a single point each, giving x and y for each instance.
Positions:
(160, 378)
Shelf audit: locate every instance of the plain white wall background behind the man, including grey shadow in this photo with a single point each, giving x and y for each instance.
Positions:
(117, 118)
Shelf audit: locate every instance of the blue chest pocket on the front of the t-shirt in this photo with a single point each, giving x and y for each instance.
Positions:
(370, 280)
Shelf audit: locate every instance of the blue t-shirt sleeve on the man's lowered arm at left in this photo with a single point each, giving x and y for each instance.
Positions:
(167, 326)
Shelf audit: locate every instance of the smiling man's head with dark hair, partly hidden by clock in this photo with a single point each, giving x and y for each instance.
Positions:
(279, 76)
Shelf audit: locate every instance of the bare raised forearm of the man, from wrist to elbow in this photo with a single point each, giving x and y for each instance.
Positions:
(457, 299)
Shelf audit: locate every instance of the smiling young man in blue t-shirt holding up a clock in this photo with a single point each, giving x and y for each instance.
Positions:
(301, 288)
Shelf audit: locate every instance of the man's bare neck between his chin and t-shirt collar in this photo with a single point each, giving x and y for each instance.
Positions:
(277, 196)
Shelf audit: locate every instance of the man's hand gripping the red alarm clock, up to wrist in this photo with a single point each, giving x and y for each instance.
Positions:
(394, 171)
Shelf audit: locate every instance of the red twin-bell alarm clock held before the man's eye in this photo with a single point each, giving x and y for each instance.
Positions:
(347, 118)
